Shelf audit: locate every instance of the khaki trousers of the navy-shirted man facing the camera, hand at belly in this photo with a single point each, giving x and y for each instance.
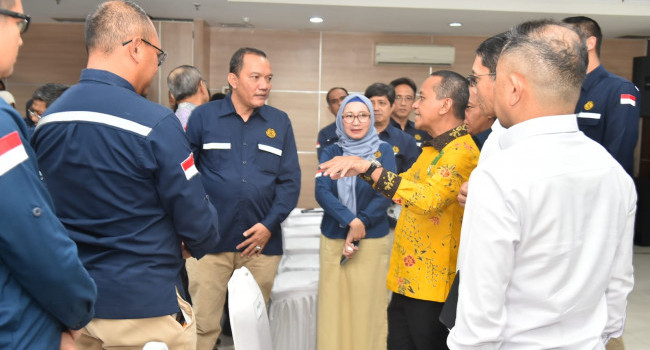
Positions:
(208, 279)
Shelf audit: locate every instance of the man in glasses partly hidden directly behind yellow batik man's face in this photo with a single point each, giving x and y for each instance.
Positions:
(405, 89)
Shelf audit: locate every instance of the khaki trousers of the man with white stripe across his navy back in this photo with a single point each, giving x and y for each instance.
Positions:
(133, 334)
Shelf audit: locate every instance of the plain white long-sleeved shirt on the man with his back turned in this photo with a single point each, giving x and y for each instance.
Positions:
(546, 243)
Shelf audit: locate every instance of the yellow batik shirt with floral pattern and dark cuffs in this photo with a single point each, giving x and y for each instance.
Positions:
(427, 235)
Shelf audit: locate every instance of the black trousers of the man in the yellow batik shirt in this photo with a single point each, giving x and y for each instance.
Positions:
(413, 324)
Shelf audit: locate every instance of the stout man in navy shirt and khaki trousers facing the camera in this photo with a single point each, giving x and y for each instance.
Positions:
(247, 154)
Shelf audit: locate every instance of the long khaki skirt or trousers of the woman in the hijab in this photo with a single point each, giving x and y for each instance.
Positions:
(353, 299)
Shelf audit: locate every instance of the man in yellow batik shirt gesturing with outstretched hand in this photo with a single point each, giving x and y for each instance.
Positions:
(423, 260)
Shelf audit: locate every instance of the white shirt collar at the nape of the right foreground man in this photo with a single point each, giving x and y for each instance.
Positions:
(553, 124)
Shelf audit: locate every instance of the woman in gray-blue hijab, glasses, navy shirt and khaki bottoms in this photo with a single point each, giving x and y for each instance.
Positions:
(352, 296)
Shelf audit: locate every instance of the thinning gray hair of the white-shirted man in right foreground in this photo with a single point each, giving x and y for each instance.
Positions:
(552, 54)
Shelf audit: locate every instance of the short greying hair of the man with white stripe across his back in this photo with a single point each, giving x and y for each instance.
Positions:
(114, 22)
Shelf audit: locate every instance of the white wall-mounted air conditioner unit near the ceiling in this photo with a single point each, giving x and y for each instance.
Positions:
(414, 54)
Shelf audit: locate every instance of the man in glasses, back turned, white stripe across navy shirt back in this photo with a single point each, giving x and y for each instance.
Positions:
(124, 183)
